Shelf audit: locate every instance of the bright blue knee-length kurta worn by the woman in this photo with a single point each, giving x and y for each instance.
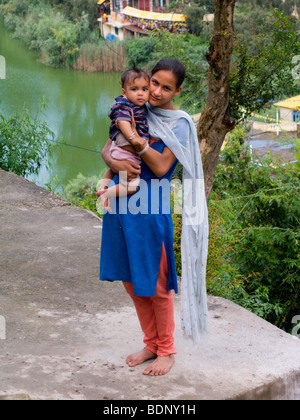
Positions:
(133, 235)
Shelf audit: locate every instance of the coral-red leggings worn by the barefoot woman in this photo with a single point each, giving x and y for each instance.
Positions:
(156, 313)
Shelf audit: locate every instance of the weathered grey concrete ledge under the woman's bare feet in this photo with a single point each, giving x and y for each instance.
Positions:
(67, 334)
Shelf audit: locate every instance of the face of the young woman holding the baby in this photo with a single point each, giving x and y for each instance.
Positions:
(163, 89)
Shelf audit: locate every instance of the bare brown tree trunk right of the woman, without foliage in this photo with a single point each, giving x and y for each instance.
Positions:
(215, 121)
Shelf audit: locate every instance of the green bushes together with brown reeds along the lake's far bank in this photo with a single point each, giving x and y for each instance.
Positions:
(65, 34)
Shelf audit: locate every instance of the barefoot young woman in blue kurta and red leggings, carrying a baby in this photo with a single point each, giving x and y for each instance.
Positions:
(137, 246)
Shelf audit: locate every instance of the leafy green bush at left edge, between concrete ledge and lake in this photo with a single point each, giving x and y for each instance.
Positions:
(24, 143)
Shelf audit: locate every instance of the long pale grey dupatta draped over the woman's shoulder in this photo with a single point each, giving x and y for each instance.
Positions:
(194, 235)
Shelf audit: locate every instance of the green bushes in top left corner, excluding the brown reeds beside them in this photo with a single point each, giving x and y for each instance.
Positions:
(47, 30)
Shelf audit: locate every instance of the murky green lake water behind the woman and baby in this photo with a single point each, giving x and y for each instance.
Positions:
(77, 107)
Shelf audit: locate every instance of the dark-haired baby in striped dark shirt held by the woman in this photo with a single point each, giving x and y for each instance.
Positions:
(135, 94)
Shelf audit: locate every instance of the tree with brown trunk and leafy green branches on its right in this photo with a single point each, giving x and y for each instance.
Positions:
(242, 80)
